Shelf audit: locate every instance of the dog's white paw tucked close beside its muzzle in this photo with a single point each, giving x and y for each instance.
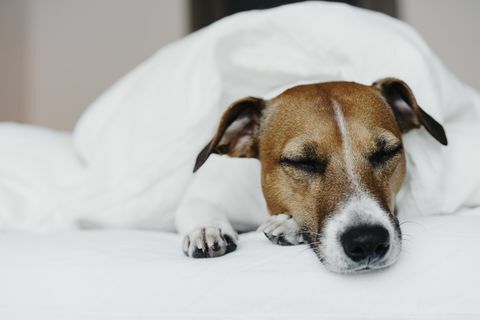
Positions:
(283, 230)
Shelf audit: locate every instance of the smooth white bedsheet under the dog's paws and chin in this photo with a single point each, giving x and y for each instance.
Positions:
(144, 275)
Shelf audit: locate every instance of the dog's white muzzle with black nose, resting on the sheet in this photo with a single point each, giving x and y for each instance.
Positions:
(359, 236)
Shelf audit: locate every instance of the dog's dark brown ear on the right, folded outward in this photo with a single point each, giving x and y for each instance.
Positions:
(408, 113)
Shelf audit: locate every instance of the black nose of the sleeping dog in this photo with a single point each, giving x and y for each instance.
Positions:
(365, 242)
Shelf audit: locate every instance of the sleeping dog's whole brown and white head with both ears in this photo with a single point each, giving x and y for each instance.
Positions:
(332, 157)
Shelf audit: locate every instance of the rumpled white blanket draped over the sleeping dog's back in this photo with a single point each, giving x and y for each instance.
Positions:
(129, 161)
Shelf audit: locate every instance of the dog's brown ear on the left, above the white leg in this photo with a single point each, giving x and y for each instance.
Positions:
(236, 133)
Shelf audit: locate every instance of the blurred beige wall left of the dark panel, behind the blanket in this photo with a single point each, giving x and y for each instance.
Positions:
(61, 54)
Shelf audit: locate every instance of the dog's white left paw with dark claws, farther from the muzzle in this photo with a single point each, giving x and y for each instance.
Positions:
(209, 242)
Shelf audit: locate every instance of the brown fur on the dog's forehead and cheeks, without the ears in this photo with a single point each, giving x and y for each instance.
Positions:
(305, 113)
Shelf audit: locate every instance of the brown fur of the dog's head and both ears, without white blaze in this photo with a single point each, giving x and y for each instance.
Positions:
(302, 120)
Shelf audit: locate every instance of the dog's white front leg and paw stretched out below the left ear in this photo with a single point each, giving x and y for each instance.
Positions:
(224, 190)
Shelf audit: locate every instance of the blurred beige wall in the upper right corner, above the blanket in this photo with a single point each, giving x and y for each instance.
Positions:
(452, 29)
